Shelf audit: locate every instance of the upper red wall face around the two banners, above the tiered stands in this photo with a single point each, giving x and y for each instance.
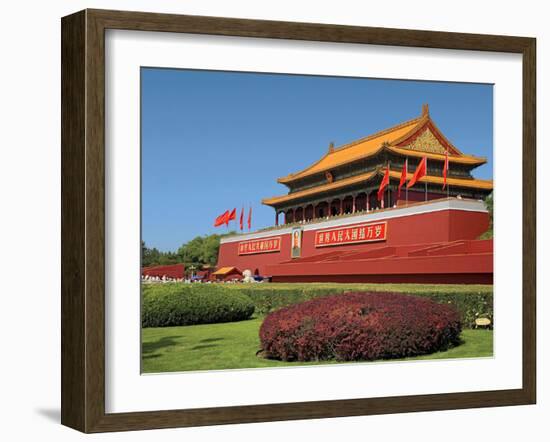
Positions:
(433, 227)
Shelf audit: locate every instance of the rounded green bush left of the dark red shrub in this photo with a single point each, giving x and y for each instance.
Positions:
(166, 305)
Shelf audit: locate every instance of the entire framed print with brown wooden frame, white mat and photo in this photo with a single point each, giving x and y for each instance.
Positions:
(268, 221)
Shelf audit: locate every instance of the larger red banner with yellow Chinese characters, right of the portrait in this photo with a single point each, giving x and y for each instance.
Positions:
(352, 235)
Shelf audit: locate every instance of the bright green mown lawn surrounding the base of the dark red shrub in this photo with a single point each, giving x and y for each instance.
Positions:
(234, 345)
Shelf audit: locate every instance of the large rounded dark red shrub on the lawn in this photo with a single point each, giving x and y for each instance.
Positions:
(359, 326)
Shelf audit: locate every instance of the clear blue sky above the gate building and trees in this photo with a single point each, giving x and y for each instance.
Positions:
(215, 140)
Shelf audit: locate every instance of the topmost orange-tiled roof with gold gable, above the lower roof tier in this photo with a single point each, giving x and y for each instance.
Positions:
(418, 138)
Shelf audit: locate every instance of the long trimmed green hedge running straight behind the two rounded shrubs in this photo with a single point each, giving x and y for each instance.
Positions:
(472, 301)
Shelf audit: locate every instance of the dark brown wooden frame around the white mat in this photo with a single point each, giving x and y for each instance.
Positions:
(83, 220)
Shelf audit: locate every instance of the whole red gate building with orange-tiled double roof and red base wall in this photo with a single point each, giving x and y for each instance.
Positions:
(335, 228)
